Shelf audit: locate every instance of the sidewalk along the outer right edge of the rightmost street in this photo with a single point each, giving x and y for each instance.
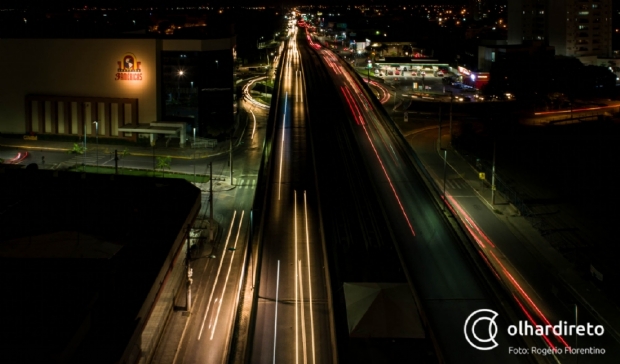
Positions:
(547, 256)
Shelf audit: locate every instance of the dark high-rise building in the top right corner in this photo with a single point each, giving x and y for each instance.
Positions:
(574, 27)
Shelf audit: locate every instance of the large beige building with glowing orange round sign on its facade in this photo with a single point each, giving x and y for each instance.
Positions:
(130, 84)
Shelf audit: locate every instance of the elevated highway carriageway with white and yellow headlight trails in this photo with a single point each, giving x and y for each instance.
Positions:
(292, 313)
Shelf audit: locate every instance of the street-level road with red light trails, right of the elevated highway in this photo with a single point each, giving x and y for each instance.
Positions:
(535, 288)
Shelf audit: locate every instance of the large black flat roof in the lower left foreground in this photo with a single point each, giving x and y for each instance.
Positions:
(78, 255)
